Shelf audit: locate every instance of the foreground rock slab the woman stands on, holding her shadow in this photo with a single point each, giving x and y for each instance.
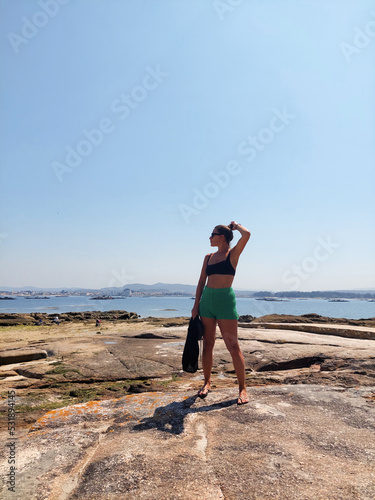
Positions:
(292, 442)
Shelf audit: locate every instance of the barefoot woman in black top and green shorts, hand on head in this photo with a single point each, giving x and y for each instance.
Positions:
(216, 303)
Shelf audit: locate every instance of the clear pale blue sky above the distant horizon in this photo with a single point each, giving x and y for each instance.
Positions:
(130, 128)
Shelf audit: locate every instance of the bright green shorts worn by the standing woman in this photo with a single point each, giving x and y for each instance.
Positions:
(218, 303)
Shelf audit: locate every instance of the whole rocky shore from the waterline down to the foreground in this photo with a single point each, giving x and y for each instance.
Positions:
(111, 397)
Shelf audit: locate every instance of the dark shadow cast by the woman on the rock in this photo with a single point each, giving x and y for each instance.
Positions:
(170, 418)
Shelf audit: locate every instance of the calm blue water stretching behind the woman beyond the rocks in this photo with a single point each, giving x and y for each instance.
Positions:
(181, 306)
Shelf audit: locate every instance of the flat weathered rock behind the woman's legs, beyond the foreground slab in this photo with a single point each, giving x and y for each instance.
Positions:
(276, 354)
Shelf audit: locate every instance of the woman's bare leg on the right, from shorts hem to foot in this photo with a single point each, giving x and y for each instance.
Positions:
(229, 332)
